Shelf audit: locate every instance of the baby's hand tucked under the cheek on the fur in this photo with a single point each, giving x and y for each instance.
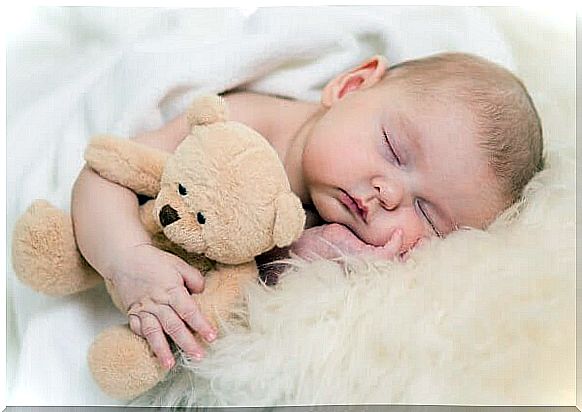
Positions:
(331, 240)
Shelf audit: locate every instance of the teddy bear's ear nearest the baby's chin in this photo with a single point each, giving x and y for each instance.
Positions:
(289, 219)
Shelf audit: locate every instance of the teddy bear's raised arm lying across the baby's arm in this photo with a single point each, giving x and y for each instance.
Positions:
(128, 163)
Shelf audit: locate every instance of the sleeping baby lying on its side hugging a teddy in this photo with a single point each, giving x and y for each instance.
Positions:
(389, 158)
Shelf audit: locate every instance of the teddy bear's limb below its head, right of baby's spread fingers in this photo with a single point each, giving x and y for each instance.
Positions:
(223, 290)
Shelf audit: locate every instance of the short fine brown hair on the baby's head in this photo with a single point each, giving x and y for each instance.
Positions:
(508, 125)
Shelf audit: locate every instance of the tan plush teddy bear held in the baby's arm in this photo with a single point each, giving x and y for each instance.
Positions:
(221, 199)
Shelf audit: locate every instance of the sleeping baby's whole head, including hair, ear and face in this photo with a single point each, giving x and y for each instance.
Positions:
(428, 146)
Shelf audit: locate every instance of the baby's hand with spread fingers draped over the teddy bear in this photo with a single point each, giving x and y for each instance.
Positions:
(155, 287)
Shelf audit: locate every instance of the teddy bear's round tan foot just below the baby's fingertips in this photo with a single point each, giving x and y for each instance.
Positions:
(122, 363)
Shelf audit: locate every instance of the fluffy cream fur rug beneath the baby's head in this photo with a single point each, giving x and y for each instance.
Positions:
(479, 318)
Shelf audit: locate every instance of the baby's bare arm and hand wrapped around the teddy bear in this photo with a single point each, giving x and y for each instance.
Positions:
(153, 285)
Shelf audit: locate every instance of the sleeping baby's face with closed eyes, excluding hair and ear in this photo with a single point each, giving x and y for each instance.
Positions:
(383, 158)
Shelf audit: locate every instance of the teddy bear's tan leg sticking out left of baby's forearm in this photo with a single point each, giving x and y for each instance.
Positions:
(45, 255)
